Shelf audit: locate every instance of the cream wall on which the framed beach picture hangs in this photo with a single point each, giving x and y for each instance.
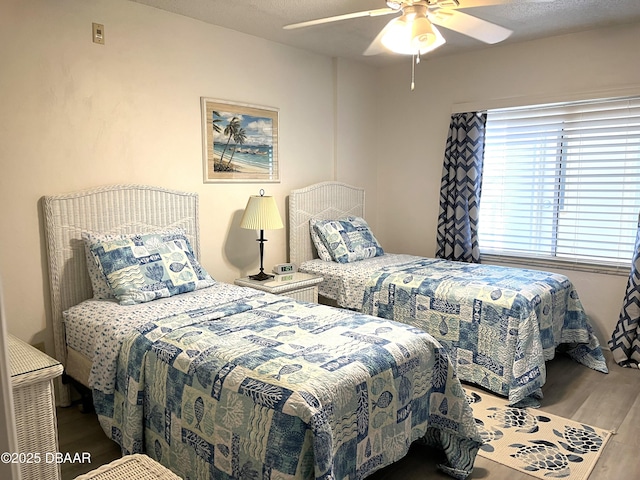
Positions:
(77, 115)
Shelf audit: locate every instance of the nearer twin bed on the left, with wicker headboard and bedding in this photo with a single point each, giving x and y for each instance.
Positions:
(225, 381)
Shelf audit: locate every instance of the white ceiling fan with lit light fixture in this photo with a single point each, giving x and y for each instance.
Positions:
(414, 31)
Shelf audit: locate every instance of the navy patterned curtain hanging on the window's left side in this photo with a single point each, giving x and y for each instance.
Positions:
(460, 188)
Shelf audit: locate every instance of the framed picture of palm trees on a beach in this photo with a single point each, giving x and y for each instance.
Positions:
(239, 142)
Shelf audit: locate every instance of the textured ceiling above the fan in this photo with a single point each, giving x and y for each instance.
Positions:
(350, 38)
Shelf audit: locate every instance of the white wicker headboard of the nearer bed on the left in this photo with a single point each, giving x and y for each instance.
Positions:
(108, 209)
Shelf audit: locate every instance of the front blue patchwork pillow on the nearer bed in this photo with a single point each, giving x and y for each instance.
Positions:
(143, 267)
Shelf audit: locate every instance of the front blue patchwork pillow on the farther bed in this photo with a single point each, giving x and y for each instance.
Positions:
(348, 239)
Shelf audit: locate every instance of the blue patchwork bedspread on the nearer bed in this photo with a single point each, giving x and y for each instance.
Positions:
(271, 388)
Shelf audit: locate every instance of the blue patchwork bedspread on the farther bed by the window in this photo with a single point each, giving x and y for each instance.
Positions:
(498, 324)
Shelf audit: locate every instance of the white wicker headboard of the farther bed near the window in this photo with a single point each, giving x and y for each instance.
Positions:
(325, 200)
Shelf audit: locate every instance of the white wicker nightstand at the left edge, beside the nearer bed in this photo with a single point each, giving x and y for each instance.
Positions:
(32, 374)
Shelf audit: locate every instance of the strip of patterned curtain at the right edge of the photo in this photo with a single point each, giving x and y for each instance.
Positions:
(625, 341)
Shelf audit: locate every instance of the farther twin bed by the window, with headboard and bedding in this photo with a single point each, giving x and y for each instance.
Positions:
(499, 325)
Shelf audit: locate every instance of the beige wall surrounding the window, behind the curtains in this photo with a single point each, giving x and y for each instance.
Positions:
(561, 68)
